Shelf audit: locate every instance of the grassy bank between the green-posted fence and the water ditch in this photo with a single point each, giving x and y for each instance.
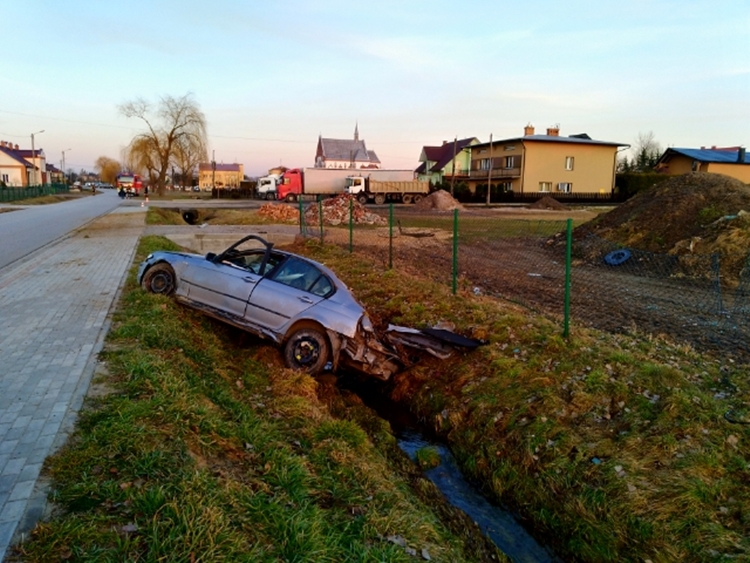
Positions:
(613, 448)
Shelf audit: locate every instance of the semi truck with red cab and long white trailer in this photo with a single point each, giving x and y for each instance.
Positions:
(311, 183)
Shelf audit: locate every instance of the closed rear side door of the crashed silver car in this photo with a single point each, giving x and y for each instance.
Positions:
(289, 290)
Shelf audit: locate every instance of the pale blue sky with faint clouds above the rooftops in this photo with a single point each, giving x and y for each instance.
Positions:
(270, 77)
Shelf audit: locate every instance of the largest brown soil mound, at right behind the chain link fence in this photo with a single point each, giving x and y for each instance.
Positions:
(692, 214)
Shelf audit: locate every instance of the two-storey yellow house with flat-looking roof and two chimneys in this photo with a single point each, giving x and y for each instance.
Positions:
(545, 164)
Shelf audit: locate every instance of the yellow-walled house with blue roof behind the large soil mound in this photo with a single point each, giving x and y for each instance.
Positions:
(731, 161)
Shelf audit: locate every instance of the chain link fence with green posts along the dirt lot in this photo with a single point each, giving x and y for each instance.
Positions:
(702, 300)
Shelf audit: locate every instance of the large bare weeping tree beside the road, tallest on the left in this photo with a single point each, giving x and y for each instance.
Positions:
(174, 121)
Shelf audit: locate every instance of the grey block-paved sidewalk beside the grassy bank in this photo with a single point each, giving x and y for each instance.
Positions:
(55, 310)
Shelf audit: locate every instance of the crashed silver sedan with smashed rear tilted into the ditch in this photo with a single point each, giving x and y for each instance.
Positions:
(296, 302)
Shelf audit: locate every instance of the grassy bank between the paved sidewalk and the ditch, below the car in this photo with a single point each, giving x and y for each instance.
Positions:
(207, 449)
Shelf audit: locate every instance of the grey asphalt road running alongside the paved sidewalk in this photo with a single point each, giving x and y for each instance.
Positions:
(29, 229)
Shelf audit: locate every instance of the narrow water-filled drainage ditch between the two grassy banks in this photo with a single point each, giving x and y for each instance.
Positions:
(495, 522)
